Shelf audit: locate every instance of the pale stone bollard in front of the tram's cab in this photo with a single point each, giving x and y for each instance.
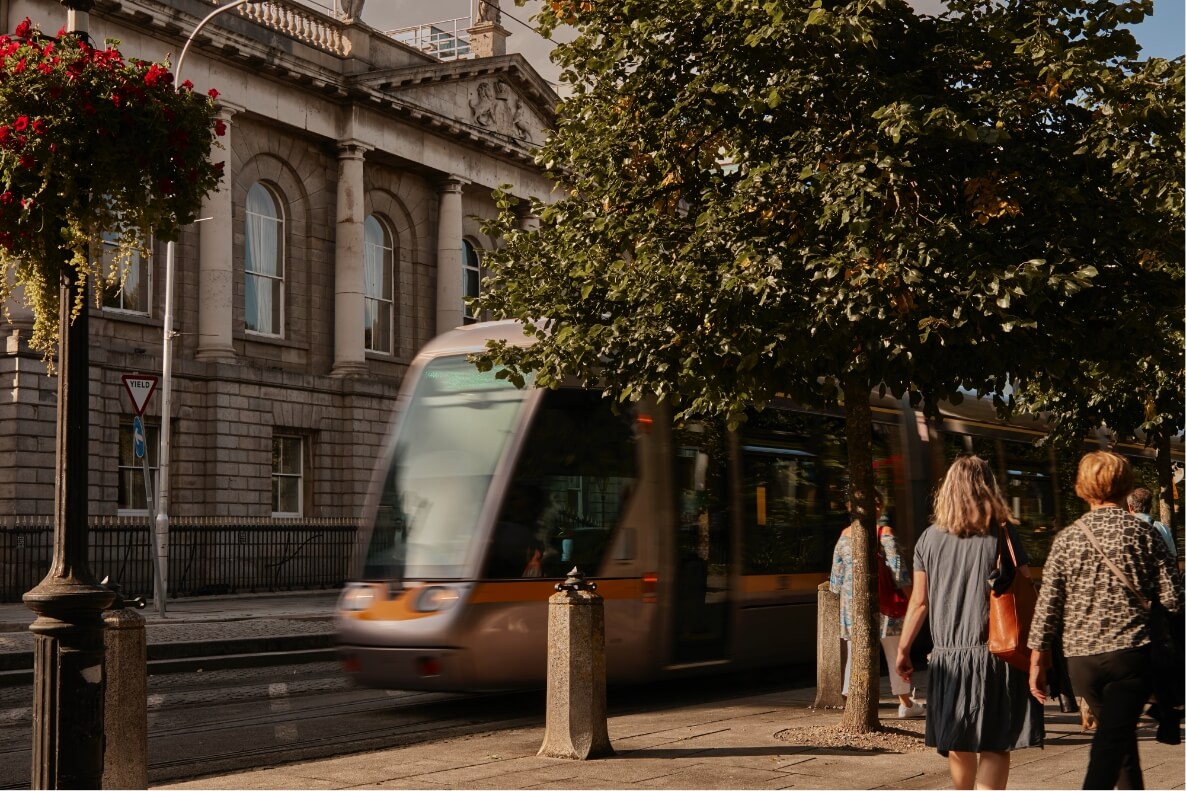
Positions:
(576, 725)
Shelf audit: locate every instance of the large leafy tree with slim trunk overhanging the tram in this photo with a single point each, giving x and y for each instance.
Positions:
(813, 199)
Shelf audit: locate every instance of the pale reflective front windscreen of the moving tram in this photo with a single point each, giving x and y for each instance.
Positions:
(451, 439)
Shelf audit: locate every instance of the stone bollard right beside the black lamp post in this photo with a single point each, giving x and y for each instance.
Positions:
(125, 700)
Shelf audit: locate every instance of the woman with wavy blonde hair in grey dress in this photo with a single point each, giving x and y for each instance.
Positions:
(979, 707)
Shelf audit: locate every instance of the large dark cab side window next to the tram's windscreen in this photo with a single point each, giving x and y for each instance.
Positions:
(573, 480)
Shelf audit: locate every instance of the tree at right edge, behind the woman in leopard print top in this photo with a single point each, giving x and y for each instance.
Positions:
(1121, 367)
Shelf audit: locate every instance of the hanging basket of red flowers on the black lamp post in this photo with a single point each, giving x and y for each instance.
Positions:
(92, 144)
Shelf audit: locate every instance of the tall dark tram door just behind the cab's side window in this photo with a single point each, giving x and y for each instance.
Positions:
(702, 618)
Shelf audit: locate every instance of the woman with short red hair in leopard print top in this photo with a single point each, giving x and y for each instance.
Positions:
(1104, 628)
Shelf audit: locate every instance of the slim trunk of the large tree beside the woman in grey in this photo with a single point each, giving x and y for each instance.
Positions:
(862, 710)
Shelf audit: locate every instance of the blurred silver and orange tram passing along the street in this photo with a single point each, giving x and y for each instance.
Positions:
(707, 546)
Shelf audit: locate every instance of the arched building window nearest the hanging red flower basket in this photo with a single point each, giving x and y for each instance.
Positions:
(264, 263)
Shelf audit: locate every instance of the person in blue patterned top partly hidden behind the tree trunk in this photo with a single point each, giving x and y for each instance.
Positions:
(889, 622)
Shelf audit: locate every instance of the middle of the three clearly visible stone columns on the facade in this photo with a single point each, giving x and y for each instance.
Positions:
(349, 267)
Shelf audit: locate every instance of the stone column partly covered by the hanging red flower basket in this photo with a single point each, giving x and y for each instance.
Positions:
(216, 259)
